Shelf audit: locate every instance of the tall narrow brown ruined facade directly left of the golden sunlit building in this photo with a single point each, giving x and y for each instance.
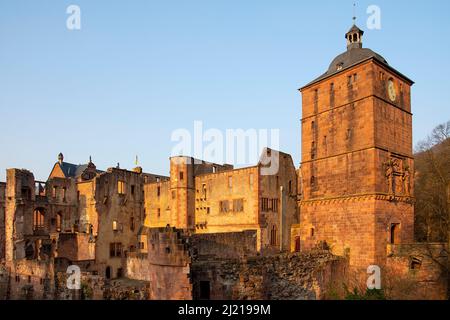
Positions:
(119, 205)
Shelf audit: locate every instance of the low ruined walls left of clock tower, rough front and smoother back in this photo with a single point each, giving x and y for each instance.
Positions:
(227, 266)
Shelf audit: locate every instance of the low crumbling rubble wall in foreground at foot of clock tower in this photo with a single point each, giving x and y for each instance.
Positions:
(278, 277)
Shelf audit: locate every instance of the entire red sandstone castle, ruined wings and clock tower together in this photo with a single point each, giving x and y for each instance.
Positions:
(353, 194)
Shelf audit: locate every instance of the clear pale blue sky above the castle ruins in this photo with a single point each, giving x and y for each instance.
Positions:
(137, 70)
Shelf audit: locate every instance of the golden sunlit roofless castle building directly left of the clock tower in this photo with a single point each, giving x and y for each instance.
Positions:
(211, 198)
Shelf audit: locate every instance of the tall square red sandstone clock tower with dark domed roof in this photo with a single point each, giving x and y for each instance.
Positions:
(357, 162)
